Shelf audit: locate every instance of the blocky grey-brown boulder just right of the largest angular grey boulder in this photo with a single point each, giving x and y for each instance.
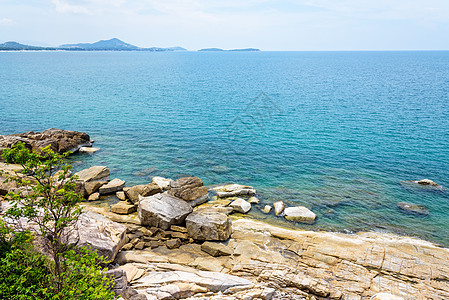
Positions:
(209, 226)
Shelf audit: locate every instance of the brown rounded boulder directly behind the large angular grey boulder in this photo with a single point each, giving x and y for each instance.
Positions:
(189, 189)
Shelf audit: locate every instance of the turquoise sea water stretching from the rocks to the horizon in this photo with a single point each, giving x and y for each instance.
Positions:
(334, 131)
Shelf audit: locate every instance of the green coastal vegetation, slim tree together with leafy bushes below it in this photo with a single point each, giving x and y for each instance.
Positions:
(38, 259)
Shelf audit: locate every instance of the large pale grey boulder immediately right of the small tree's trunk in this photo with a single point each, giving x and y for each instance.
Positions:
(98, 232)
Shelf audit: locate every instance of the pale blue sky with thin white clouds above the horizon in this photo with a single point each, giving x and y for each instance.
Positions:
(291, 25)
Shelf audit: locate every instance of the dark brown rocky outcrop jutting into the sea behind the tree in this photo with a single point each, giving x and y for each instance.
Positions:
(59, 140)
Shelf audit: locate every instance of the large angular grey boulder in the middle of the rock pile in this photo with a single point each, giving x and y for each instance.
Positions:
(163, 210)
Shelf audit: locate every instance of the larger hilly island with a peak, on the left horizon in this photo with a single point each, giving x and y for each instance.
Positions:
(103, 45)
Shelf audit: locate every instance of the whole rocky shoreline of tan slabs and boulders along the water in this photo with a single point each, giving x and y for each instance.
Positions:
(180, 240)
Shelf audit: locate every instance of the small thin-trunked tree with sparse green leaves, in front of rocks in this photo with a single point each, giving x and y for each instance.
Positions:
(49, 199)
